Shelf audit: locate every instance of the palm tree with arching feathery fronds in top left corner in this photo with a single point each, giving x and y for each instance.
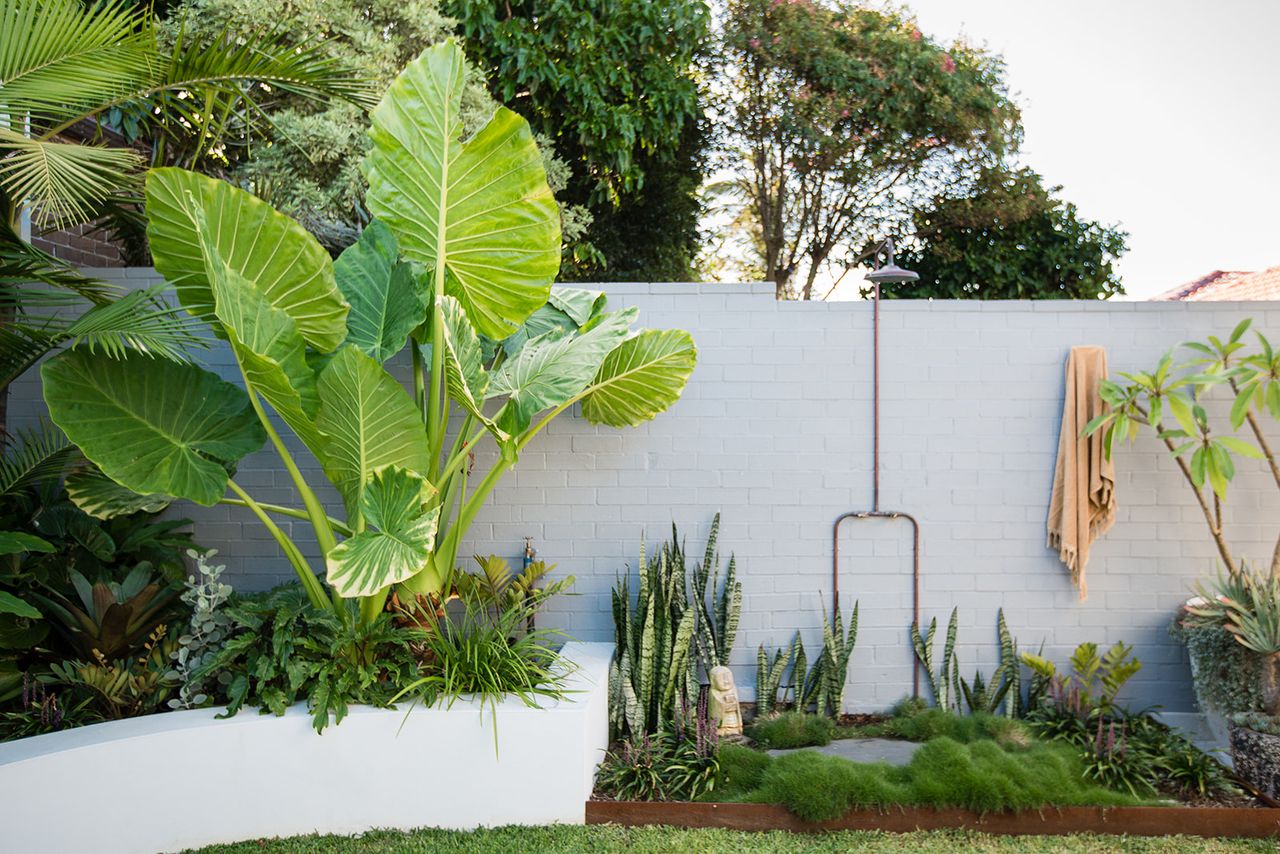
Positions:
(66, 70)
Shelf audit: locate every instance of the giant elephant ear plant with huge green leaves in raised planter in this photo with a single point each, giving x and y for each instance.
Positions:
(458, 268)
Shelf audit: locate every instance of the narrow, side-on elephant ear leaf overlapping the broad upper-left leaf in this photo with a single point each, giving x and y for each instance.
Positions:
(267, 342)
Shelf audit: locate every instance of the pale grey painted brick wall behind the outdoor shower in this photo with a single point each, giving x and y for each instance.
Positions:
(775, 431)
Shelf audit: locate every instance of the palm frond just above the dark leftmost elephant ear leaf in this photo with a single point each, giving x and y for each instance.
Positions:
(140, 322)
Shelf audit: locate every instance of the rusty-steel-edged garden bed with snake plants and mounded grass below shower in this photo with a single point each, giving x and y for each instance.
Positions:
(999, 751)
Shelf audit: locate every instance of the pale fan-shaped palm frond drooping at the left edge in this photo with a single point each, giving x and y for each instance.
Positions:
(63, 182)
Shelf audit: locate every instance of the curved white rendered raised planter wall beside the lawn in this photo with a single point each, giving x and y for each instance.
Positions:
(184, 779)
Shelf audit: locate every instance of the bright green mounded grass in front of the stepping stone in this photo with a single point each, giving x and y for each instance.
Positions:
(982, 777)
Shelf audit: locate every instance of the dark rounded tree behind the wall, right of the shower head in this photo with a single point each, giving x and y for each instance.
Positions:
(1011, 240)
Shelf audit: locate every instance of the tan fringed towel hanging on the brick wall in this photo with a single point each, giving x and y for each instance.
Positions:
(1084, 505)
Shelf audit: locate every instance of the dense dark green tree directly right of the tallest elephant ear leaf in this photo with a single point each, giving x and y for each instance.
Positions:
(612, 83)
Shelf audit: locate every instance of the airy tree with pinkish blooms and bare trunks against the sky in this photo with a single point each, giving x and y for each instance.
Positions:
(842, 120)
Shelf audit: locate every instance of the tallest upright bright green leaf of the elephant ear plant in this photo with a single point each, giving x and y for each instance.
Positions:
(481, 211)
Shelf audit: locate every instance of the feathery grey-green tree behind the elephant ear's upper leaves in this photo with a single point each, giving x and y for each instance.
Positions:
(310, 167)
